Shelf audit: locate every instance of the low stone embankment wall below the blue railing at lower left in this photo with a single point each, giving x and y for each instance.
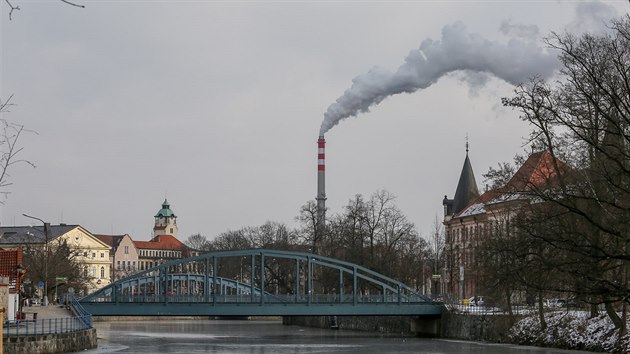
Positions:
(51, 343)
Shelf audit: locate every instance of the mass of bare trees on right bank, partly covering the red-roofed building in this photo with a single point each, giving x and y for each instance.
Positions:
(570, 235)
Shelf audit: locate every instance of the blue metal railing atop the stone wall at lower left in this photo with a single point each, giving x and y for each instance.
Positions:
(81, 321)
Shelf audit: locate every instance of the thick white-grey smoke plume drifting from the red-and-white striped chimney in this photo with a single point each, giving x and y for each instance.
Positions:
(515, 62)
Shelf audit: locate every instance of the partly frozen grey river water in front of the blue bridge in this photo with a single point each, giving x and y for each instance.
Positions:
(263, 337)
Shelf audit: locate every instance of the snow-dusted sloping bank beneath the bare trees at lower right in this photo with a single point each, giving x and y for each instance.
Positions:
(571, 330)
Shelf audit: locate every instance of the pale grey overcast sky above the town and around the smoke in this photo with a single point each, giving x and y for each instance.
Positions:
(217, 105)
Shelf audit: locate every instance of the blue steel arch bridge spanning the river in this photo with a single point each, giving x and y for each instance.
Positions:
(258, 282)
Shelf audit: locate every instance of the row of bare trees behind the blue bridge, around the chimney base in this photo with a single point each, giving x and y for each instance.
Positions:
(371, 232)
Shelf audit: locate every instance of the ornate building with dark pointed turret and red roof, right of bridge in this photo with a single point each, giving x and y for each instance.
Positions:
(470, 218)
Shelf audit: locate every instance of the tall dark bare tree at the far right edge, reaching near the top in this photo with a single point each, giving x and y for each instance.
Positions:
(584, 120)
